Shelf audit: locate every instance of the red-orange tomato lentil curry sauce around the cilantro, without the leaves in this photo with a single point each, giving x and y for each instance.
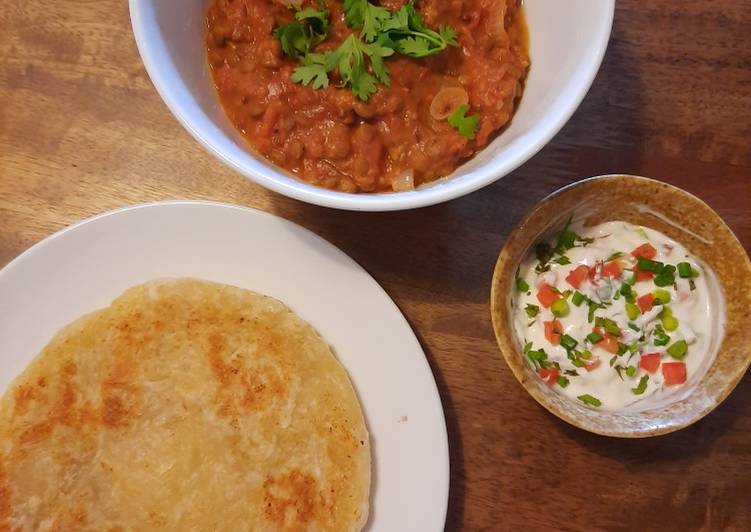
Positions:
(400, 137)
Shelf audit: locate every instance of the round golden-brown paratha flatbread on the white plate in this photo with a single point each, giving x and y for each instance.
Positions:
(185, 405)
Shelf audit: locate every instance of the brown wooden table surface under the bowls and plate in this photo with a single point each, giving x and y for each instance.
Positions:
(83, 131)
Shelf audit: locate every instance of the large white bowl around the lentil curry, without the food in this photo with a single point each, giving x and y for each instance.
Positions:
(567, 42)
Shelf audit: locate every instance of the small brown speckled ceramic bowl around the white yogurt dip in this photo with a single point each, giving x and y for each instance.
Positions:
(682, 217)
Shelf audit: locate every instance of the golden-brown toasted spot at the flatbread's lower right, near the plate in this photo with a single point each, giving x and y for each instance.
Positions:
(291, 500)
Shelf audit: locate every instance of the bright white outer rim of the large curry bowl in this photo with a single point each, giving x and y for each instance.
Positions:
(520, 149)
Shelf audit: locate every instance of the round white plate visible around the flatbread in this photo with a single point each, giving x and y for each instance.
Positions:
(86, 266)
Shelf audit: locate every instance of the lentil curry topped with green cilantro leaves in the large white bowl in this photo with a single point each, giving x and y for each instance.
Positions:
(412, 115)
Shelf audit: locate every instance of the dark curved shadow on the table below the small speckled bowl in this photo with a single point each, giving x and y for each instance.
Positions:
(694, 440)
